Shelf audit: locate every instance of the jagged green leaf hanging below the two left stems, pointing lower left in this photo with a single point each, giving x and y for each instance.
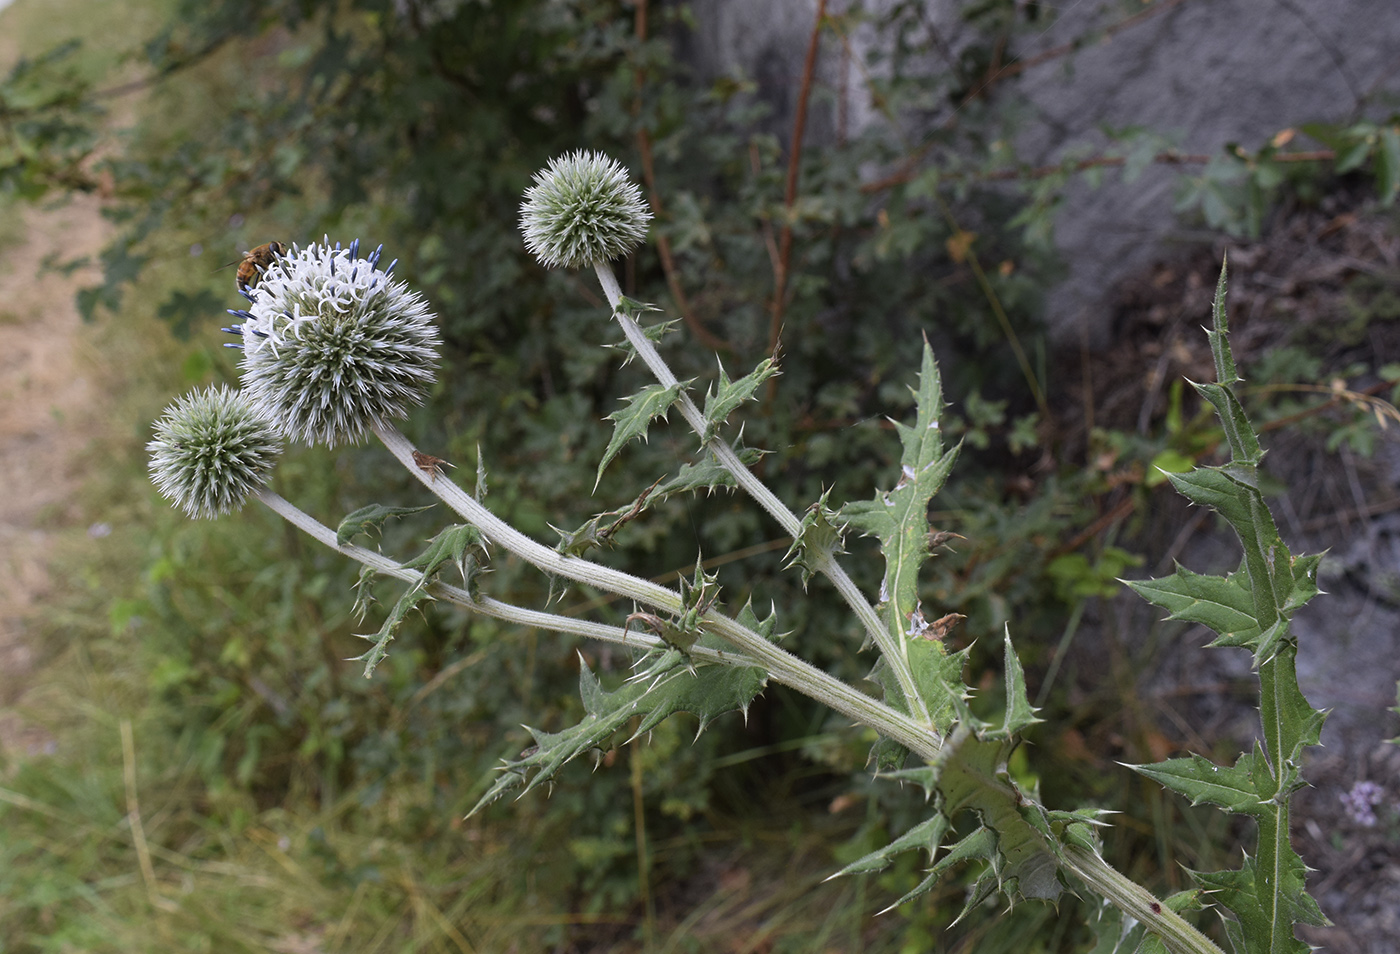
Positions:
(667, 686)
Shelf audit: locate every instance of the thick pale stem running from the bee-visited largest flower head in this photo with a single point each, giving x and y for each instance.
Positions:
(782, 666)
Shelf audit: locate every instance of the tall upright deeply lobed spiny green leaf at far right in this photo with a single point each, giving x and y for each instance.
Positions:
(1249, 609)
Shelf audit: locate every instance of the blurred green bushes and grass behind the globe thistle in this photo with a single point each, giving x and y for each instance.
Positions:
(199, 669)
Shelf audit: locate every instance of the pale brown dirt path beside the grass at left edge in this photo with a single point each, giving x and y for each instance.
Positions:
(50, 413)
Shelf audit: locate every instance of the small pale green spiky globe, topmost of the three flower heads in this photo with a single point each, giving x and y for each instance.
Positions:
(583, 209)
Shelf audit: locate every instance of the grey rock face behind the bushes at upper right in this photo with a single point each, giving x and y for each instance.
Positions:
(1202, 72)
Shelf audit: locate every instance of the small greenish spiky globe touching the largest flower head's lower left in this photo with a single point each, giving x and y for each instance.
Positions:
(211, 450)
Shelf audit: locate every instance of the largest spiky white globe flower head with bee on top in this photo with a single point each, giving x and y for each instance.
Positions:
(334, 345)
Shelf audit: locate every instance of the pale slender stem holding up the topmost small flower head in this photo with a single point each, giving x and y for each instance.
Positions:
(894, 651)
